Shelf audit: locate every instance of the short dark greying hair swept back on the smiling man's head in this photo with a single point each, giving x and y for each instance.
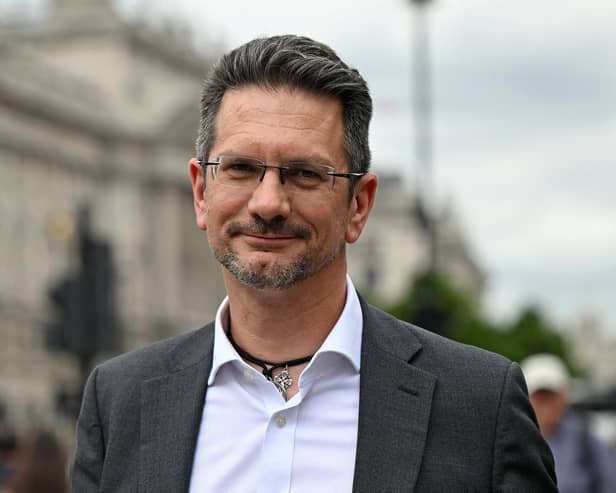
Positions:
(296, 62)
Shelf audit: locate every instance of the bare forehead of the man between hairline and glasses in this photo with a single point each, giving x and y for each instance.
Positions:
(276, 122)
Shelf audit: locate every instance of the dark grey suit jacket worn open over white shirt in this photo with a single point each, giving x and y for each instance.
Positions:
(435, 416)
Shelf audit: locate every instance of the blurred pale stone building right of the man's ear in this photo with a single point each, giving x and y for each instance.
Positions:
(397, 244)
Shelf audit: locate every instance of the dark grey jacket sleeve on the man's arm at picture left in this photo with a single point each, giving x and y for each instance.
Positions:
(90, 447)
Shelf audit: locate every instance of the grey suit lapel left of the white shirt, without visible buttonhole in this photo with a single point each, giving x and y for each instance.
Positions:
(171, 409)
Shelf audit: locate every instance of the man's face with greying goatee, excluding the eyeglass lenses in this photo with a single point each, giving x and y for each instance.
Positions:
(269, 237)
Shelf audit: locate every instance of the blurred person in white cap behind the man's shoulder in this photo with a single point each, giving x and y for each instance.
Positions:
(583, 463)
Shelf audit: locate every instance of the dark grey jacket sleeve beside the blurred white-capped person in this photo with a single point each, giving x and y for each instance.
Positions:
(522, 458)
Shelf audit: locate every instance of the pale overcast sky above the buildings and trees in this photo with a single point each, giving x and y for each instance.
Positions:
(525, 124)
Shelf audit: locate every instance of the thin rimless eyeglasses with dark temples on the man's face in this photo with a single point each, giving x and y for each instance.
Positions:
(247, 172)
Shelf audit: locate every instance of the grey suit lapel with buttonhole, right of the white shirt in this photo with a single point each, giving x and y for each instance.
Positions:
(394, 407)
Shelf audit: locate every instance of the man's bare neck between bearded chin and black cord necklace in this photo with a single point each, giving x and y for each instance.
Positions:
(279, 325)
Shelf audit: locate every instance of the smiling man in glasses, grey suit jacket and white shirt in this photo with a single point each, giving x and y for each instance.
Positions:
(299, 385)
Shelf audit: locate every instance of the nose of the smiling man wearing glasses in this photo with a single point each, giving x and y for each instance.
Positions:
(269, 199)
